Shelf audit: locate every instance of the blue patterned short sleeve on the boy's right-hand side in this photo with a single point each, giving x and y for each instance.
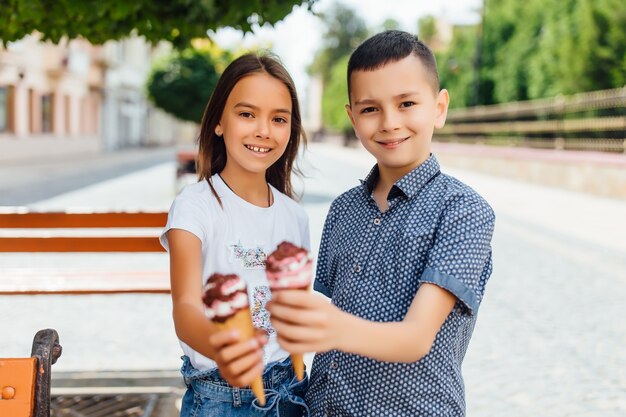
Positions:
(460, 259)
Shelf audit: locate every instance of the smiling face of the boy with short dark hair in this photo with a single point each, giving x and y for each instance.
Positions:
(394, 111)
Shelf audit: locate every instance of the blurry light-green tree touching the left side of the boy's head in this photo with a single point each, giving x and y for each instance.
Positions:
(335, 97)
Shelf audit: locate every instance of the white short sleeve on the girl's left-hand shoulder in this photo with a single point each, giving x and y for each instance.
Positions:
(187, 214)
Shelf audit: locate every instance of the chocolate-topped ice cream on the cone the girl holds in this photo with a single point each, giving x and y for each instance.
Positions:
(223, 296)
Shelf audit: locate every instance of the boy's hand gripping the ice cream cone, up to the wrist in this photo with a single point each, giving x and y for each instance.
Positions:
(305, 321)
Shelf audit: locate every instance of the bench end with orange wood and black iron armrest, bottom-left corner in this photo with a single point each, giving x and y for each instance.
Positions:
(25, 382)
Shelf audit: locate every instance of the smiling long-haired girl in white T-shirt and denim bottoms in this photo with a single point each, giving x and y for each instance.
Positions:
(237, 213)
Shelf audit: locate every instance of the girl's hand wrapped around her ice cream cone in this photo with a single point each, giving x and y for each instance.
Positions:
(238, 362)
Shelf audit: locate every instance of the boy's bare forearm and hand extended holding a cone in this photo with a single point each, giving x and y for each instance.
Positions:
(307, 322)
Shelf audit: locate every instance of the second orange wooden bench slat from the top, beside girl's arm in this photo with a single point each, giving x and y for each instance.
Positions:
(81, 244)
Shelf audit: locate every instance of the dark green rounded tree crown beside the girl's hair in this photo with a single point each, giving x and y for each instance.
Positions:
(182, 85)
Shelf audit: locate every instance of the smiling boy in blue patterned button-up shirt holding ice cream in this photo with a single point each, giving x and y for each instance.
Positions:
(404, 257)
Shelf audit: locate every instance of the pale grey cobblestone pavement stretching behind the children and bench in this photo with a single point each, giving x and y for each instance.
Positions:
(549, 340)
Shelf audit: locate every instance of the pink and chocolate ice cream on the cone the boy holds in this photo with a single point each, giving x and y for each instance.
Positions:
(289, 266)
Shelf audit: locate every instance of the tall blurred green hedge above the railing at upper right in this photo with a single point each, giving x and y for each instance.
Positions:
(536, 49)
